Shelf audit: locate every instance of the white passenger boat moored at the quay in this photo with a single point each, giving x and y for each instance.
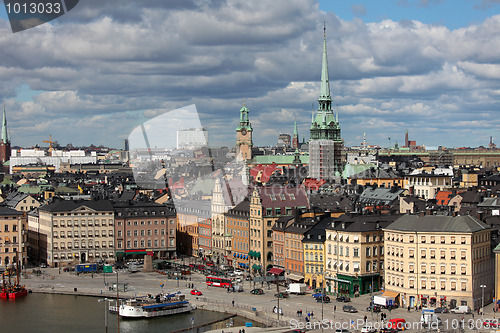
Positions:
(149, 306)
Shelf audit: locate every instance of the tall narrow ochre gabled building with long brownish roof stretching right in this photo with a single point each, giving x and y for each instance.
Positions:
(267, 204)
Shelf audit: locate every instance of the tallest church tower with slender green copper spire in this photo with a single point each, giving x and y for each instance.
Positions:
(325, 145)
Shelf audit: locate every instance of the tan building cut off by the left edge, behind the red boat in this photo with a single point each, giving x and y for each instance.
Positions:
(13, 237)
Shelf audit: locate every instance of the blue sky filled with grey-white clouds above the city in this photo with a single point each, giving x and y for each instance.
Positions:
(91, 76)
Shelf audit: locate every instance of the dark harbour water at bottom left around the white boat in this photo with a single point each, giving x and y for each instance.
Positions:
(75, 314)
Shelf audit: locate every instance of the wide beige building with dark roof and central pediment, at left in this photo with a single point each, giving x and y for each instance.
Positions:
(75, 232)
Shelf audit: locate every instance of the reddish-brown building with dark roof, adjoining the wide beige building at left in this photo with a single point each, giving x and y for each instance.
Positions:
(144, 228)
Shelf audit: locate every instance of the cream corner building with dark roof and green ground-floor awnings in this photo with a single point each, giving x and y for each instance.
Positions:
(355, 253)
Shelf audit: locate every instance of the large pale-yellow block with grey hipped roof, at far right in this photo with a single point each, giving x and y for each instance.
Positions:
(439, 261)
